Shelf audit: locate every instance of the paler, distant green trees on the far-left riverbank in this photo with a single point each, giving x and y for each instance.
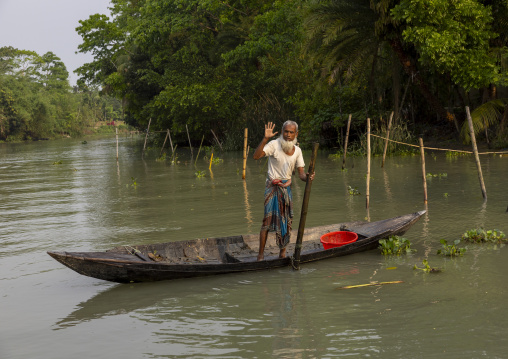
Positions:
(36, 101)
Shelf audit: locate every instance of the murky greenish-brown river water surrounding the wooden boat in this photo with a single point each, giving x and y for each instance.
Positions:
(66, 195)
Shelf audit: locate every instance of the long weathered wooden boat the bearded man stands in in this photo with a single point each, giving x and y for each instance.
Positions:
(211, 256)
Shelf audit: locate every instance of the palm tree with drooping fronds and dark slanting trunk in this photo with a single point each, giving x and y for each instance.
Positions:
(345, 36)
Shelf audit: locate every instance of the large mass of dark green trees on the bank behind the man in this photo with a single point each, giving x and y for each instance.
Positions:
(226, 65)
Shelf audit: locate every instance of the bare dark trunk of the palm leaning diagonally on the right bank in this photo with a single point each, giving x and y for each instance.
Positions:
(411, 70)
